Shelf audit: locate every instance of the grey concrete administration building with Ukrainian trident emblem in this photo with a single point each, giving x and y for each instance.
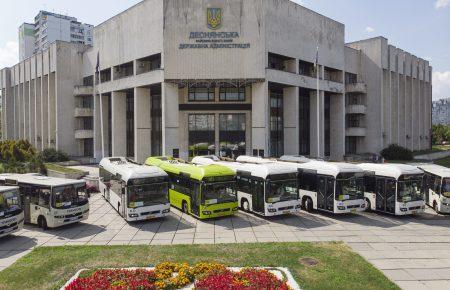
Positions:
(188, 78)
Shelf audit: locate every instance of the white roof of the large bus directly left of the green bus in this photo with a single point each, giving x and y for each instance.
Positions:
(129, 170)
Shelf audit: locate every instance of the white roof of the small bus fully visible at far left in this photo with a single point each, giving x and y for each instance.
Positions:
(41, 180)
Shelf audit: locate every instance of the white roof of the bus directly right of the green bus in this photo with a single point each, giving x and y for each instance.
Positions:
(262, 170)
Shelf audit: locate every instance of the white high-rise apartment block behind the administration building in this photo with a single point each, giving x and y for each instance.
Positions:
(50, 27)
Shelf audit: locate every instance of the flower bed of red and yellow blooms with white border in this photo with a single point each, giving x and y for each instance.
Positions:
(201, 276)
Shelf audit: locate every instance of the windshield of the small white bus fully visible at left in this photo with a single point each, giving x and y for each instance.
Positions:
(68, 196)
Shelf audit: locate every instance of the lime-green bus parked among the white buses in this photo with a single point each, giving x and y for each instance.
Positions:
(202, 191)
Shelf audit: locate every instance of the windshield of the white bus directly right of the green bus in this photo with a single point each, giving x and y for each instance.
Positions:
(282, 190)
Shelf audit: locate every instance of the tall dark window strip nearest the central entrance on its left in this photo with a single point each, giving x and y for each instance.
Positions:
(156, 115)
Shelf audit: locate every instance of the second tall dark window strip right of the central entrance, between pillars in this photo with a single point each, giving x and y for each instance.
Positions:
(304, 120)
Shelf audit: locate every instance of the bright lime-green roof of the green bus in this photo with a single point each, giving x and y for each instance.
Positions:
(171, 165)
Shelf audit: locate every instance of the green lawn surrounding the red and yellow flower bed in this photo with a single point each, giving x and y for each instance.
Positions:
(338, 267)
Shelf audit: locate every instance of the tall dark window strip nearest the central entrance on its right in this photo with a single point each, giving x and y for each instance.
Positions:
(276, 123)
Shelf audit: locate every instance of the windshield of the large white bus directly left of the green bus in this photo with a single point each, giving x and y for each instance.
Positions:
(147, 194)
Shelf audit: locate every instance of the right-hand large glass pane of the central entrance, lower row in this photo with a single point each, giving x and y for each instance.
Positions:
(232, 135)
